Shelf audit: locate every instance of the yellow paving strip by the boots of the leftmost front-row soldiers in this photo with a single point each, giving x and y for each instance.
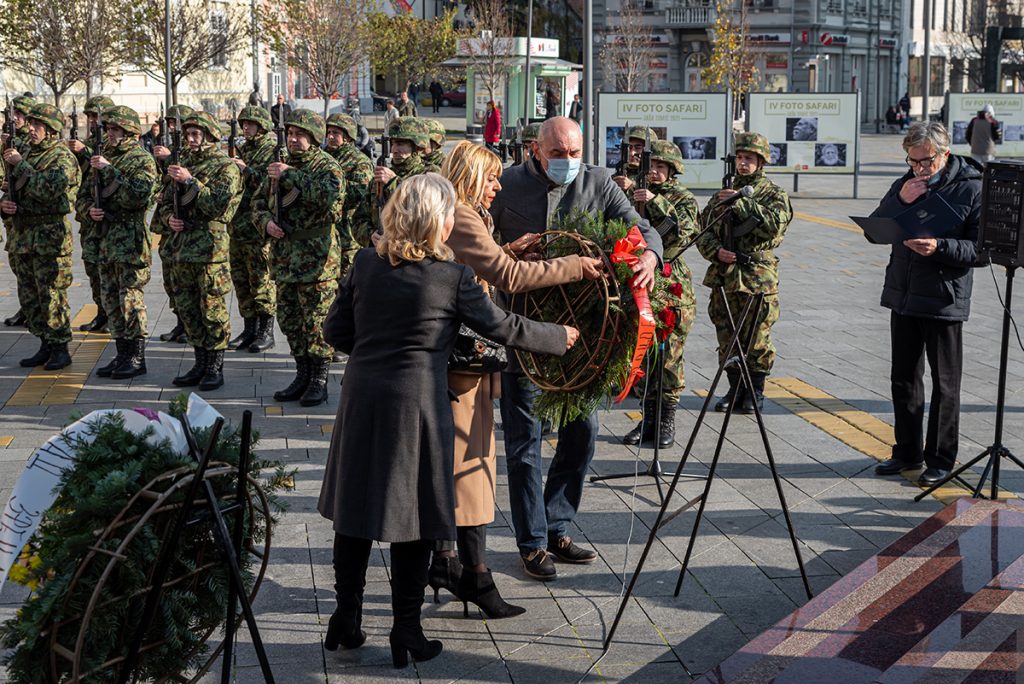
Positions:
(44, 389)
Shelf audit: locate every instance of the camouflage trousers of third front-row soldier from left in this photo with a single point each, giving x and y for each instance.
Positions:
(200, 297)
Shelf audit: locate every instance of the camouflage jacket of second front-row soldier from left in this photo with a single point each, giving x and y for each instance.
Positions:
(129, 190)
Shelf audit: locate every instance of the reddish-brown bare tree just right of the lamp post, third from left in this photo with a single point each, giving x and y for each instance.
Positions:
(326, 39)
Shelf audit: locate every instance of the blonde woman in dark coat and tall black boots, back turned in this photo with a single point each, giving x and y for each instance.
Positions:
(390, 472)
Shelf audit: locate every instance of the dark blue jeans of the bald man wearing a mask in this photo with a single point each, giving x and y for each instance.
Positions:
(534, 519)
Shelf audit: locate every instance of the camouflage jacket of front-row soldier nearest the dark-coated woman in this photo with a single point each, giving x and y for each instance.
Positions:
(313, 202)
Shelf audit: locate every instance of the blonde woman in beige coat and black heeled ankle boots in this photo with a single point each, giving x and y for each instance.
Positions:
(475, 172)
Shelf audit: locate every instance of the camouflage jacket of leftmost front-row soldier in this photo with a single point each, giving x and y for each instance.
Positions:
(47, 180)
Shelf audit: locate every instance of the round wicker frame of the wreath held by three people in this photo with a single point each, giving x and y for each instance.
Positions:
(577, 370)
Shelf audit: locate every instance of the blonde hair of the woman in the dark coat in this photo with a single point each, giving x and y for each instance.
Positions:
(414, 221)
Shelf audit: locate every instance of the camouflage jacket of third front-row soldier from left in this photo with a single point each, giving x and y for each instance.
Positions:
(209, 201)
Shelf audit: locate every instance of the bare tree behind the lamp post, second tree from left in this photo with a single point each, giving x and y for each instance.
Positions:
(202, 36)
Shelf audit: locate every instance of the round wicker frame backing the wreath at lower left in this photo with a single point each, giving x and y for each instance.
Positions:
(164, 511)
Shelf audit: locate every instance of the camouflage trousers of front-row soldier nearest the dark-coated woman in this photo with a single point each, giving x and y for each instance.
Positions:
(303, 309)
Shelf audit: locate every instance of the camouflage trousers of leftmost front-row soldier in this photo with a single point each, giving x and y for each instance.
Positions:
(42, 292)
